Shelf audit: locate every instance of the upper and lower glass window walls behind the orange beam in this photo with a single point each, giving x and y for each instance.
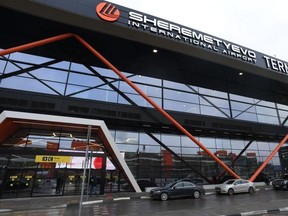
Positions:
(146, 158)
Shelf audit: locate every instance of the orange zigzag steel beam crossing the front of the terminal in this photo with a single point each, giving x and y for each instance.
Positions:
(140, 92)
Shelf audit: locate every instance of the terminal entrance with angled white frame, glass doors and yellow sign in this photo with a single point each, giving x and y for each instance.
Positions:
(40, 158)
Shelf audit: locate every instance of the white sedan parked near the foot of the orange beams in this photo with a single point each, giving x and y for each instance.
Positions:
(235, 186)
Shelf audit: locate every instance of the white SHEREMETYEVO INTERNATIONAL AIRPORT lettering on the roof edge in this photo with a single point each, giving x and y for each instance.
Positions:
(189, 36)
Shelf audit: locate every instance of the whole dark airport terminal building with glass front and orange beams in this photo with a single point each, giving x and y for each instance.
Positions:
(134, 98)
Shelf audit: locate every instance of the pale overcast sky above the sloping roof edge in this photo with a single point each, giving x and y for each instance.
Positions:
(261, 25)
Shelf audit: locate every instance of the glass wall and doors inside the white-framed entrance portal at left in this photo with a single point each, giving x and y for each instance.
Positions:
(27, 166)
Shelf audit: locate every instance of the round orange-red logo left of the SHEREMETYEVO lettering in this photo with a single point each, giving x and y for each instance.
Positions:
(107, 12)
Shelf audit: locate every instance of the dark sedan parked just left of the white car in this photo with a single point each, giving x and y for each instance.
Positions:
(178, 189)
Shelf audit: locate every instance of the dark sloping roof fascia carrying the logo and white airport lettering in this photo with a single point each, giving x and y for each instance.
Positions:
(128, 18)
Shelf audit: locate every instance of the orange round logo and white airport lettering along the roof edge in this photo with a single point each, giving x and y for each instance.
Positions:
(153, 25)
